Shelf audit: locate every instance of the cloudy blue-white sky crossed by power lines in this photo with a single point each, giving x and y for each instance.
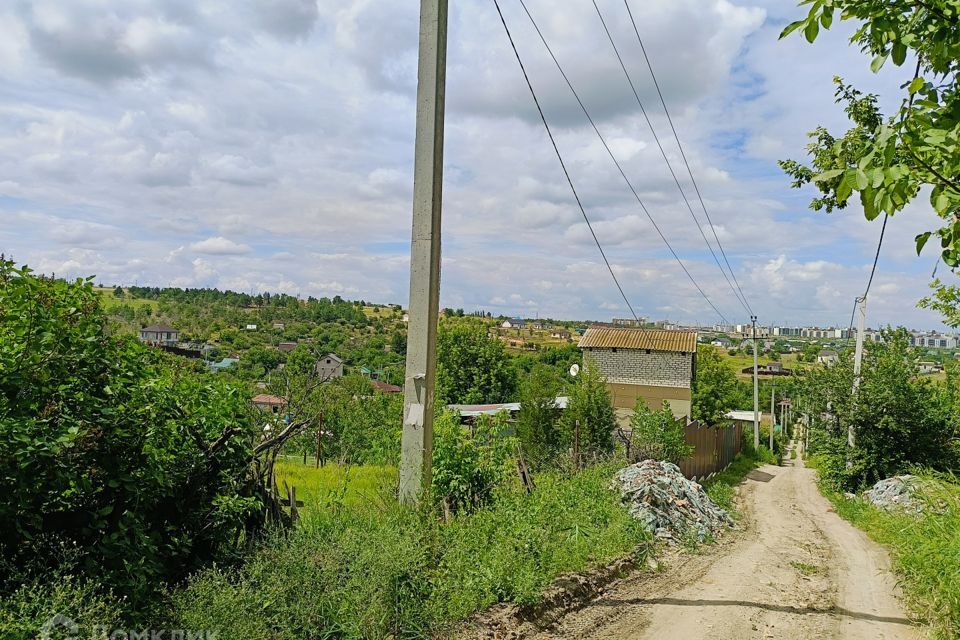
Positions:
(267, 145)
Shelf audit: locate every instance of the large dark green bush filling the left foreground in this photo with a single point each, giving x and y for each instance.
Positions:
(134, 462)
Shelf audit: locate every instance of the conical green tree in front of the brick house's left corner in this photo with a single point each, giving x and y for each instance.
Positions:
(591, 406)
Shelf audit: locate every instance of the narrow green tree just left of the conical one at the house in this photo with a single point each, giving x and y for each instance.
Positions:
(537, 419)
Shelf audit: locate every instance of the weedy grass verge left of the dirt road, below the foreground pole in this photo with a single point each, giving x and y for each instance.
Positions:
(377, 570)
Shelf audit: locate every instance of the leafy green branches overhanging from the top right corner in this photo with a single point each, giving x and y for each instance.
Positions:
(888, 160)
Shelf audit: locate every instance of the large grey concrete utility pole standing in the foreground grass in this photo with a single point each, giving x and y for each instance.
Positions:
(417, 441)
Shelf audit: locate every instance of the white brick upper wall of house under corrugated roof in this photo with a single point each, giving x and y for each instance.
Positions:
(633, 366)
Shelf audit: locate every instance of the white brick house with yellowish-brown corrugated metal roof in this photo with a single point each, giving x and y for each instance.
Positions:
(654, 364)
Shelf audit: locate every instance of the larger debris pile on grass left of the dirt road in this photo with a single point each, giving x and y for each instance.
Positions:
(672, 507)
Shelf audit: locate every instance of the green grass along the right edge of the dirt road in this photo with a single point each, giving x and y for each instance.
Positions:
(925, 549)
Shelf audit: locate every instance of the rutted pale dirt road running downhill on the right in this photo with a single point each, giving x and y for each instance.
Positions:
(796, 570)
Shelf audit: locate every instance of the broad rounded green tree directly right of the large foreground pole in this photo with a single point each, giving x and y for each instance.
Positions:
(471, 366)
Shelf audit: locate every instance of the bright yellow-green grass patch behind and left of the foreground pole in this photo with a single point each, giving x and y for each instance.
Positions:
(347, 485)
